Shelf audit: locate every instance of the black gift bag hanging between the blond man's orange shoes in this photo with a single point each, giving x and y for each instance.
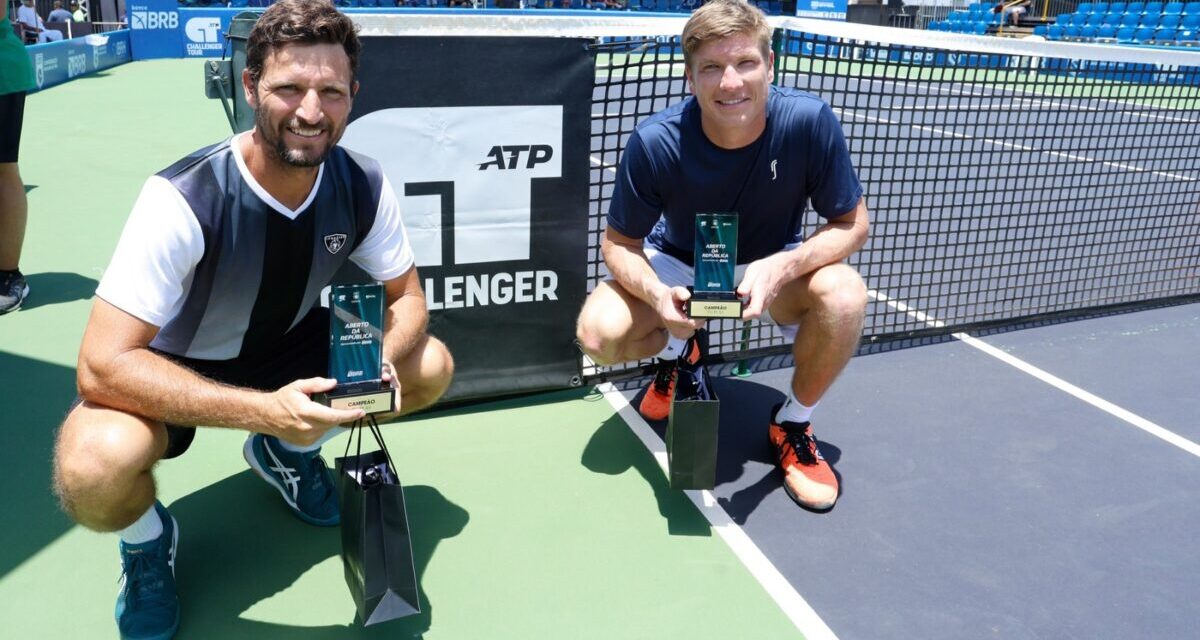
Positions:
(692, 432)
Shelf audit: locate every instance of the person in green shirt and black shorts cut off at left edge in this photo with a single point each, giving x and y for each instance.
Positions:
(16, 80)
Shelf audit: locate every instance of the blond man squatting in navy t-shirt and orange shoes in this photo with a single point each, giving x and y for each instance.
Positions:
(737, 146)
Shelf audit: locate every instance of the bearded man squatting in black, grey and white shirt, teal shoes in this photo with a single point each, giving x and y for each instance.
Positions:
(209, 313)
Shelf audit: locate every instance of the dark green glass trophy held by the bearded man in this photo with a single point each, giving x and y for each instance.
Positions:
(356, 350)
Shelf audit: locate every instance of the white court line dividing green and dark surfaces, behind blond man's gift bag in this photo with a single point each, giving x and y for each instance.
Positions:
(778, 588)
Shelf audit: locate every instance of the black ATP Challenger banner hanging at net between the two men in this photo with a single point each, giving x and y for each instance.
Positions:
(487, 142)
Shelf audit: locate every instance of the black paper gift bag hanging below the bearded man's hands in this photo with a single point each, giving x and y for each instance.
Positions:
(377, 549)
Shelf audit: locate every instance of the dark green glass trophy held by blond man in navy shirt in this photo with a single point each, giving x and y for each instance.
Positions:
(713, 292)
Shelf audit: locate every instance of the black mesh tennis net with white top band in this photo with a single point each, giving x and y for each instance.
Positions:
(1009, 182)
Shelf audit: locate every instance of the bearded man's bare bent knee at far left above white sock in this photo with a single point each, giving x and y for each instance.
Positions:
(98, 459)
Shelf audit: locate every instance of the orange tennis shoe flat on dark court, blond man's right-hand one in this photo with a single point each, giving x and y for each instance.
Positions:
(808, 478)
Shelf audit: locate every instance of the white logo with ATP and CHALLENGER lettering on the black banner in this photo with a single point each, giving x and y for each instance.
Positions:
(465, 180)
